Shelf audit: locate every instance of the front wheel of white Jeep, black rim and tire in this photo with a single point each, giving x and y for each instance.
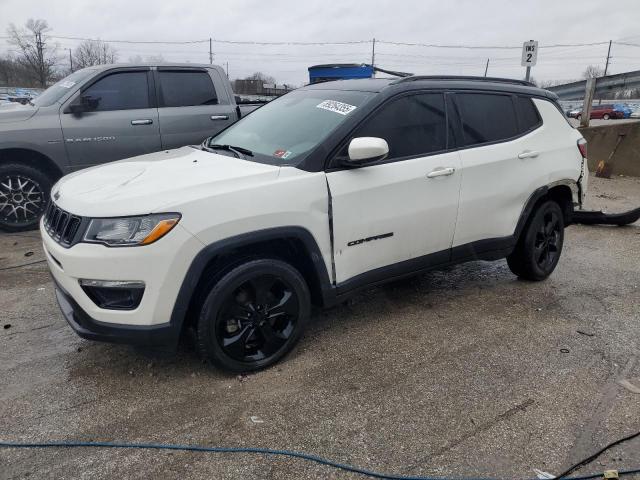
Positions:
(264, 305)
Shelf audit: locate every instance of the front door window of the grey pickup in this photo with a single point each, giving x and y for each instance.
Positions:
(120, 91)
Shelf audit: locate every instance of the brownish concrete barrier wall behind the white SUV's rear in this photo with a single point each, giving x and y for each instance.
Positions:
(602, 141)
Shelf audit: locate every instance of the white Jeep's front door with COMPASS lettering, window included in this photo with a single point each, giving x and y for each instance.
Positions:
(397, 215)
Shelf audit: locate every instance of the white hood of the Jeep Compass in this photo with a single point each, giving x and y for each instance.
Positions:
(156, 182)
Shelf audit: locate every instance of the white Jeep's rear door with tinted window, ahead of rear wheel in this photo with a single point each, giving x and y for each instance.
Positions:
(504, 160)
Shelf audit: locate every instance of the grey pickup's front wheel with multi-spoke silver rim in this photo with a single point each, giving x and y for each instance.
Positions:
(24, 193)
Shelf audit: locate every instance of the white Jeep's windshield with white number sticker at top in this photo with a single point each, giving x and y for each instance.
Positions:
(285, 130)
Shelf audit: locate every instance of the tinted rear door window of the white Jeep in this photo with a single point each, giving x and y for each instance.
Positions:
(486, 117)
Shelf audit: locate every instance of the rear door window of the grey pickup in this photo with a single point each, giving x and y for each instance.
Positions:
(186, 89)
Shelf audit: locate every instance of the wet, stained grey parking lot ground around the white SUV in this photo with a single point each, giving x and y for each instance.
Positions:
(461, 372)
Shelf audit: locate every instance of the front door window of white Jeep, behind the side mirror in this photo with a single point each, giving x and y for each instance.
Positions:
(411, 125)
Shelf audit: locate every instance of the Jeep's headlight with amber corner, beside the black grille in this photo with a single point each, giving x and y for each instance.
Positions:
(129, 231)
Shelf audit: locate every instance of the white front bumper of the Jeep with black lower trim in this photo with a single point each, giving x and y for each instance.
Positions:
(162, 267)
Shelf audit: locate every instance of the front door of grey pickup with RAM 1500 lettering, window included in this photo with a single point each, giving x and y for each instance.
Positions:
(120, 120)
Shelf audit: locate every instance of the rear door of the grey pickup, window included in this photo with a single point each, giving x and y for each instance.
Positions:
(193, 105)
